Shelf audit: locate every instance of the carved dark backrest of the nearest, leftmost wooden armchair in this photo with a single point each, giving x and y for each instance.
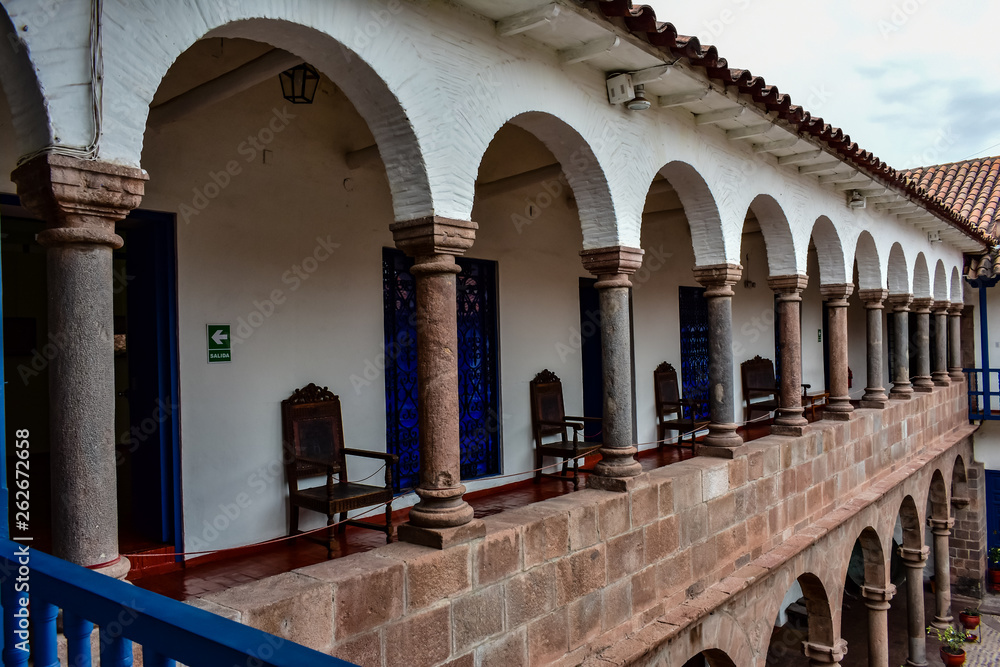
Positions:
(312, 427)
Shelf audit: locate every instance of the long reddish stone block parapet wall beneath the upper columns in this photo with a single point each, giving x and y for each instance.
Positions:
(560, 581)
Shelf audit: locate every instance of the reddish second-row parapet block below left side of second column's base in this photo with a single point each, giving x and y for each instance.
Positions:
(419, 640)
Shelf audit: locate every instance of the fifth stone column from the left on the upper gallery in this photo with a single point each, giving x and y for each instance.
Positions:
(789, 420)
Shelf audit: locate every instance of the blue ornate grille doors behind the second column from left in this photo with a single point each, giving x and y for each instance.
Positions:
(478, 364)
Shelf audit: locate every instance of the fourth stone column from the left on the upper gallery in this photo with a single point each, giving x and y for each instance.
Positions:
(722, 439)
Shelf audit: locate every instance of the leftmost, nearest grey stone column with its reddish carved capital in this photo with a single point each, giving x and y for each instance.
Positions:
(80, 202)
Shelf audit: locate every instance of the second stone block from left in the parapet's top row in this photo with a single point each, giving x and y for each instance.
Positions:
(367, 591)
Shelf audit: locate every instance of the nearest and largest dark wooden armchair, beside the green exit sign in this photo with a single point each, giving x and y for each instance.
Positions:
(313, 445)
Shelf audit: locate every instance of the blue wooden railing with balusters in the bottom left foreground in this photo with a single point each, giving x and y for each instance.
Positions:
(35, 585)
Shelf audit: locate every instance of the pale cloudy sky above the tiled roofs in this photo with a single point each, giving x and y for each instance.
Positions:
(913, 81)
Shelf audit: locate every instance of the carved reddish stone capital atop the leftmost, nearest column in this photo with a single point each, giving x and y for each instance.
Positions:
(80, 200)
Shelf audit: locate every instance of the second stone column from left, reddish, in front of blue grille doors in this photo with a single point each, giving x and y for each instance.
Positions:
(441, 517)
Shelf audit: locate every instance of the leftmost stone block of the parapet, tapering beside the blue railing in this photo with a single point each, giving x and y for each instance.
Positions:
(289, 605)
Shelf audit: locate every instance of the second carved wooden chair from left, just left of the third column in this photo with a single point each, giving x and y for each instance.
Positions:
(557, 434)
